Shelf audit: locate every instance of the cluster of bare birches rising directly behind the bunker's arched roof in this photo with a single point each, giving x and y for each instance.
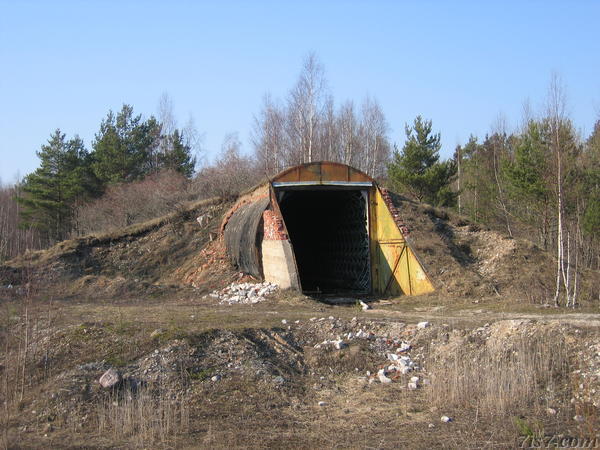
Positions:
(307, 126)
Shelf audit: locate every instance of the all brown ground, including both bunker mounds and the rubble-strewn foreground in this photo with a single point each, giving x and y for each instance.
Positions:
(481, 363)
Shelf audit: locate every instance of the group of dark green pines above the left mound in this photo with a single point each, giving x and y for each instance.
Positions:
(126, 148)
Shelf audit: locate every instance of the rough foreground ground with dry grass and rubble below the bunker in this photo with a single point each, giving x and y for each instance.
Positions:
(201, 378)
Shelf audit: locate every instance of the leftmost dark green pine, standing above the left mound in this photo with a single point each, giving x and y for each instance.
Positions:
(49, 193)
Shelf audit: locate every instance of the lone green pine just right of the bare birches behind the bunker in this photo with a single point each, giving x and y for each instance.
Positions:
(418, 169)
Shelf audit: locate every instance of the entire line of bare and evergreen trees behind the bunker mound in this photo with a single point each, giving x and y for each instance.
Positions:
(540, 181)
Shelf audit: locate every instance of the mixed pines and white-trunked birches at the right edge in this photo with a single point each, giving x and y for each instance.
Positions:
(541, 182)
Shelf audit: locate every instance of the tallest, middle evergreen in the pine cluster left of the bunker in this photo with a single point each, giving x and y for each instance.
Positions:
(124, 147)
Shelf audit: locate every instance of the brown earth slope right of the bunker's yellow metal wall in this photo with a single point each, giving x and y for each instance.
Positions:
(465, 259)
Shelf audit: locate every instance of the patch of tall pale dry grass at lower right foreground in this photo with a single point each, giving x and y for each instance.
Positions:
(531, 375)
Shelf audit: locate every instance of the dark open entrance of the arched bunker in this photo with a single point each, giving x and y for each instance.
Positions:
(329, 234)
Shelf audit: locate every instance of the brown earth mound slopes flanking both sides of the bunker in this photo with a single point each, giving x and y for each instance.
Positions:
(168, 253)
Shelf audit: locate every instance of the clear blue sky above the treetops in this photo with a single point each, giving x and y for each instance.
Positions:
(461, 64)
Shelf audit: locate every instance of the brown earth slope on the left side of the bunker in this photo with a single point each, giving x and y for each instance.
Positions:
(148, 257)
